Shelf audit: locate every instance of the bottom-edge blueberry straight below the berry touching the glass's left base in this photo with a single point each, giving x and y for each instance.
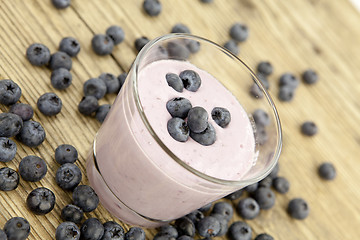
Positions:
(92, 229)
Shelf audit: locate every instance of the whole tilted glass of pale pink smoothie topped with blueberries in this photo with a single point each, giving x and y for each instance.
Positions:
(184, 131)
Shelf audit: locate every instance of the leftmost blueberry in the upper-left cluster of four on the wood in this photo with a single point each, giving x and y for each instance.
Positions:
(38, 54)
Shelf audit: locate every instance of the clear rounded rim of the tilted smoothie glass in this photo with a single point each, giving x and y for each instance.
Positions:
(144, 51)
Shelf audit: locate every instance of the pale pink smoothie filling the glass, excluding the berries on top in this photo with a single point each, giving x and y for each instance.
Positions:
(139, 180)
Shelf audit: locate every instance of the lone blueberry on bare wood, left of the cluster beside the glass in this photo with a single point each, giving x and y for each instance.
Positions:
(49, 104)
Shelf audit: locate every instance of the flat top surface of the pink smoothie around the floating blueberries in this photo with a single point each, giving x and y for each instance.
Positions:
(232, 154)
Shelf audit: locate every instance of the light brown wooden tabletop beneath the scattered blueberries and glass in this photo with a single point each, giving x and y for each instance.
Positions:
(293, 35)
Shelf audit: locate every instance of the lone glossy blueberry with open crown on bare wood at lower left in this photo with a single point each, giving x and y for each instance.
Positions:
(41, 200)
